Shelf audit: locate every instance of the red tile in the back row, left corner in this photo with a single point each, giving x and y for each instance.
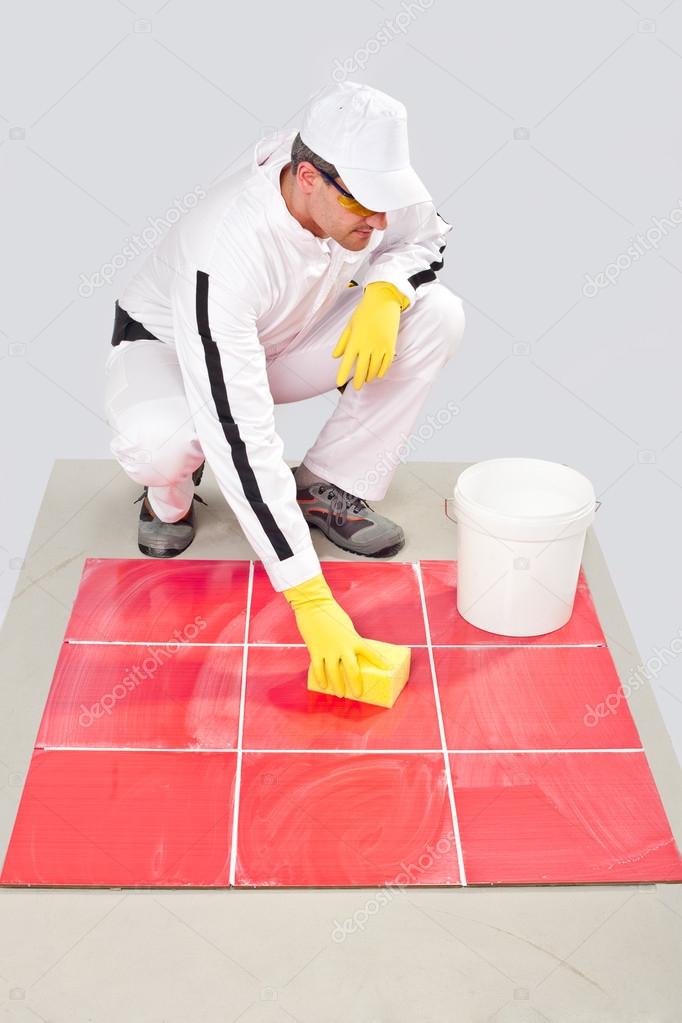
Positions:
(149, 601)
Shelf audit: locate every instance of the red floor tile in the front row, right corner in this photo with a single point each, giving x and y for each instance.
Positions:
(562, 819)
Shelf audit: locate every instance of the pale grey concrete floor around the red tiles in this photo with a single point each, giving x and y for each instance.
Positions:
(478, 956)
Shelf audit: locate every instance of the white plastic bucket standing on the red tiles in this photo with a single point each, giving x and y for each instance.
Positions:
(522, 525)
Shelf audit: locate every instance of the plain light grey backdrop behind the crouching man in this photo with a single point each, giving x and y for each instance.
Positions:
(550, 136)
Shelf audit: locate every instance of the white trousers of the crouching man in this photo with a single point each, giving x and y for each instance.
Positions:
(156, 443)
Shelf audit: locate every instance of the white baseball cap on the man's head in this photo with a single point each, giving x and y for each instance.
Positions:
(363, 132)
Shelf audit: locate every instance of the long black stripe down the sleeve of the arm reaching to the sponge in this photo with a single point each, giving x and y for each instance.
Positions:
(231, 428)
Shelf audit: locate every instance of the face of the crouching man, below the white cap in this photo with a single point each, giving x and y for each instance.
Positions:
(326, 217)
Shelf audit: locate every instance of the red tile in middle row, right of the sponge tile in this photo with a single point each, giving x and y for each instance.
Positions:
(531, 698)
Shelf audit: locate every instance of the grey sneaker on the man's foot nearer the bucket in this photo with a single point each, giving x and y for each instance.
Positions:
(348, 521)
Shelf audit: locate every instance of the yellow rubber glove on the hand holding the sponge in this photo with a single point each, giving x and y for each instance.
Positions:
(331, 637)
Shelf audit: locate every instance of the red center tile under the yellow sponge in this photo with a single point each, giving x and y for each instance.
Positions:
(282, 714)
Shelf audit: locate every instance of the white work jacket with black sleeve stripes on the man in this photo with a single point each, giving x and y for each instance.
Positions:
(239, 276)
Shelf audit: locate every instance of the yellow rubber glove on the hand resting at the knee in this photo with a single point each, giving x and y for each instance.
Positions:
(371, 335)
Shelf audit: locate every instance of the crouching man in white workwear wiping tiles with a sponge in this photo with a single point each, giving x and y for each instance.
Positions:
(290, 264)
